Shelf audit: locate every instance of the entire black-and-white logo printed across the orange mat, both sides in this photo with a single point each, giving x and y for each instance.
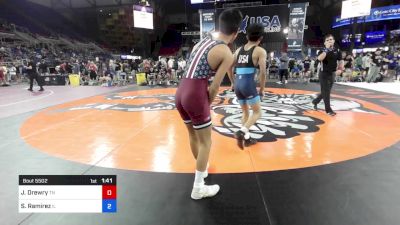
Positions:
(282, 114)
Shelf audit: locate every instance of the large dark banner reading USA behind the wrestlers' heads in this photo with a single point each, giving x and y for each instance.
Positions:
(273, 17)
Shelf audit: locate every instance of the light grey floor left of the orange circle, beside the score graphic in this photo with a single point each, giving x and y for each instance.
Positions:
(17, 158)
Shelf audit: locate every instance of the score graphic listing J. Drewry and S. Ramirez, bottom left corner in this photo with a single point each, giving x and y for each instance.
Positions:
(67, 194)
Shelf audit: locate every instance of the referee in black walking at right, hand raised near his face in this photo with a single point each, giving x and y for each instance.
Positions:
(329, 57)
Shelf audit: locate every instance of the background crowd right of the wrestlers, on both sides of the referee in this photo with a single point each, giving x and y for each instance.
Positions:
(374, 66)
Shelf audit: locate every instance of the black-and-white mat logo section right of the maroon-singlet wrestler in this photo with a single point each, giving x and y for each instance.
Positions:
(282, 115)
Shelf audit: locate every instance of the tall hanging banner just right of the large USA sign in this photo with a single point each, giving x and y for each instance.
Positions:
(297, 19)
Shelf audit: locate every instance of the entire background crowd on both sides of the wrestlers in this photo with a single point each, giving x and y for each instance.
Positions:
(99, 67)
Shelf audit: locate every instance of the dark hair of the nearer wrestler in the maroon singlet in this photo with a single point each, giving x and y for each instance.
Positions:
(229, 21)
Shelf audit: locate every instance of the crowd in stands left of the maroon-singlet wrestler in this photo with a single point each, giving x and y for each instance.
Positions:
(94, 67)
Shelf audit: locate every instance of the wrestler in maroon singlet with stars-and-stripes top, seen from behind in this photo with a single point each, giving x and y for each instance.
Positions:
(193, 98)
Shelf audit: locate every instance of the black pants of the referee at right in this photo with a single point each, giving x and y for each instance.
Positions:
(326, 79)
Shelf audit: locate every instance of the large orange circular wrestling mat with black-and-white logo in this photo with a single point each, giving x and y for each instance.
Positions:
(142, 130)
